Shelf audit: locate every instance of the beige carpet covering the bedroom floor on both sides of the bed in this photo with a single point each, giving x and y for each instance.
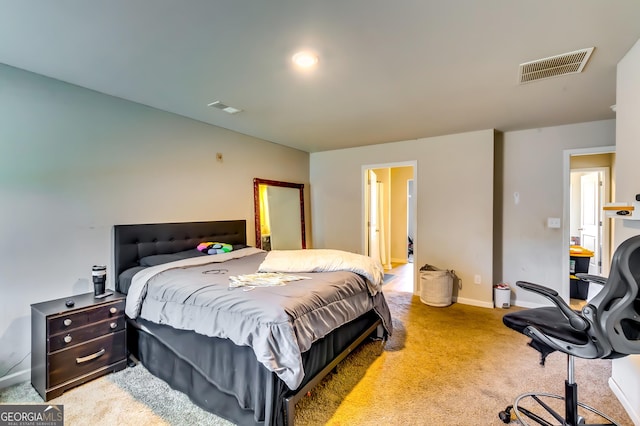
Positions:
(443, 366)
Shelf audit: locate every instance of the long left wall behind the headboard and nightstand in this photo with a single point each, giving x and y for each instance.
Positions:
(74, 162)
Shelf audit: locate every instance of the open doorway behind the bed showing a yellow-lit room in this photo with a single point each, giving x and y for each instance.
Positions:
(388, 213)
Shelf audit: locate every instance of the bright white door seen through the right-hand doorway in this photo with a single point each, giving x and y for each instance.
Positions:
(590, 221)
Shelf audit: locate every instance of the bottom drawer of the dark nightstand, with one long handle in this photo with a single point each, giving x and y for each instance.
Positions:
(82, 359)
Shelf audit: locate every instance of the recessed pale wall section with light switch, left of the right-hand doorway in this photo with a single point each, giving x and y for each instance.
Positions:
(533, 168)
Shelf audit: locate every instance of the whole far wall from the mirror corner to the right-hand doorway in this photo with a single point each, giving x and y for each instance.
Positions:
(466, 213)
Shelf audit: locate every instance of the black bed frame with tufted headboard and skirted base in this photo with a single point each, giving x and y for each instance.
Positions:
(165, 352)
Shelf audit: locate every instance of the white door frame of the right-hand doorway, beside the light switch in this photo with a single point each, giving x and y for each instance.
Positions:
(566, 203)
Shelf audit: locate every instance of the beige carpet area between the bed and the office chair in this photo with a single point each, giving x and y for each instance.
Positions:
(448, 366)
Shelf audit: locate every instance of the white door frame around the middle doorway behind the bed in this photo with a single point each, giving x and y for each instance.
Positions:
(363, 210)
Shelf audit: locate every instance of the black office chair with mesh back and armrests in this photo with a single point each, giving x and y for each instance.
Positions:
(607, 327)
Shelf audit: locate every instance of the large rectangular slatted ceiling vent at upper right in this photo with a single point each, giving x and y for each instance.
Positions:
(553, 66)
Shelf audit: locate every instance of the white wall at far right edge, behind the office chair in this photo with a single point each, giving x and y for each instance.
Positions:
(625, 375)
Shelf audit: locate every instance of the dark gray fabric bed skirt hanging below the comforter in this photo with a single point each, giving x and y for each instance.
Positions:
(226, 379)
